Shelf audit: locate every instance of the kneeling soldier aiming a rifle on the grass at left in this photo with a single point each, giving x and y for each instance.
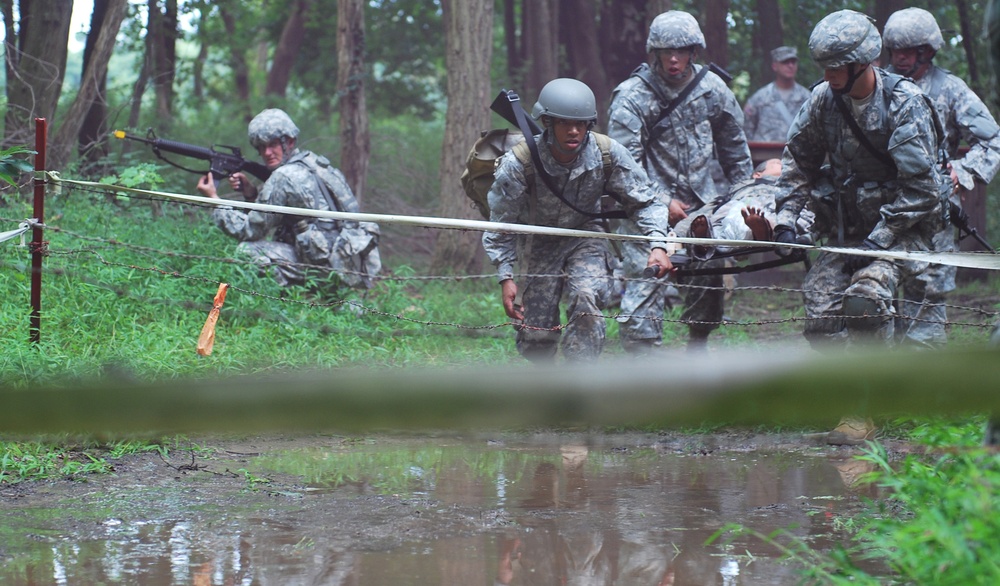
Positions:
(302, 179)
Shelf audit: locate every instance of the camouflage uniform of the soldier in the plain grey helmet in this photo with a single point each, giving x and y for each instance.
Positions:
(583, 265)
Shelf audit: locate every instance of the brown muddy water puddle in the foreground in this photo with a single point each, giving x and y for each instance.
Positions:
(539, 509)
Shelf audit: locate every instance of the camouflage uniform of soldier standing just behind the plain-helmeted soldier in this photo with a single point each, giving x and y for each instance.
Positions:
(678, 163)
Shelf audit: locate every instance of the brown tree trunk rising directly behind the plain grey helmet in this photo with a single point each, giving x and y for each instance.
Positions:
(583, 50)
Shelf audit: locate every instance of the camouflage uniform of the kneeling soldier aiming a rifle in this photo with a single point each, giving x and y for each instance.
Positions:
(278, 242)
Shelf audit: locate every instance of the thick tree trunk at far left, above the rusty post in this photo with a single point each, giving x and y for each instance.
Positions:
(39, 54)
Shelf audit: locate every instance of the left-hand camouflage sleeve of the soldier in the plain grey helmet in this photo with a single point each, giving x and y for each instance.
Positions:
(507, 199)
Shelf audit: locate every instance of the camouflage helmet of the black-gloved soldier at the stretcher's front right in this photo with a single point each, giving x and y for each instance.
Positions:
(844, 37)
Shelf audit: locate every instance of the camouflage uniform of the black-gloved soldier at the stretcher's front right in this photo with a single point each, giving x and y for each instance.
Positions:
(897, 208)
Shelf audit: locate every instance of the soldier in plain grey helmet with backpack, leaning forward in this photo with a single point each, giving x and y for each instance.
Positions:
(579, 268)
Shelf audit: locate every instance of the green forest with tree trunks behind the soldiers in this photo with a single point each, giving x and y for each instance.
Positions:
(392, 91)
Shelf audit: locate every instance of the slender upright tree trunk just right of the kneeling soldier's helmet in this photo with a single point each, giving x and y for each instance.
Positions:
(355, 139)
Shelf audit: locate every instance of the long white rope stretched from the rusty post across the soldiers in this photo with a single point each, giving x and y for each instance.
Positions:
(972, 260)
